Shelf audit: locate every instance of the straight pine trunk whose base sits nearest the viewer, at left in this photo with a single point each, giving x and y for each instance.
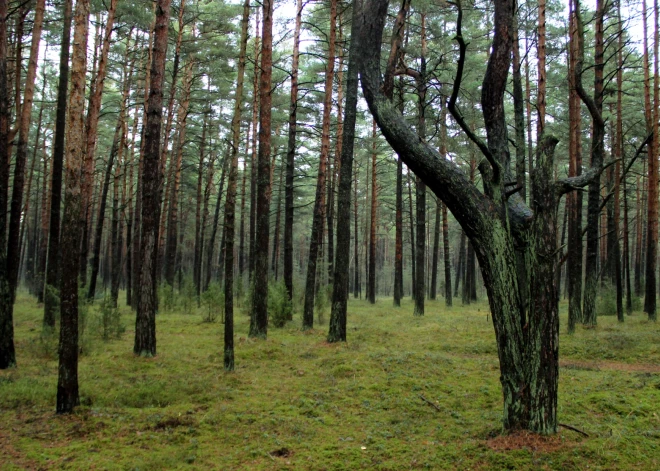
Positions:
(73, 218)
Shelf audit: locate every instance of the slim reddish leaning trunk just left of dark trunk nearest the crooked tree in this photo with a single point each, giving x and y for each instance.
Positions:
(317, 222)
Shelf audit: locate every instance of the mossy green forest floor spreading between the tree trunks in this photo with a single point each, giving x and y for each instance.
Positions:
(403, 393)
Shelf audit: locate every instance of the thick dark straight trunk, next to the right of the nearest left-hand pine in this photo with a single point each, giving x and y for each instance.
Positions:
(145, 323)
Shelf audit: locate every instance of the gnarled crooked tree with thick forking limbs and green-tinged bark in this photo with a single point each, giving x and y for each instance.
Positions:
(494, 219)
